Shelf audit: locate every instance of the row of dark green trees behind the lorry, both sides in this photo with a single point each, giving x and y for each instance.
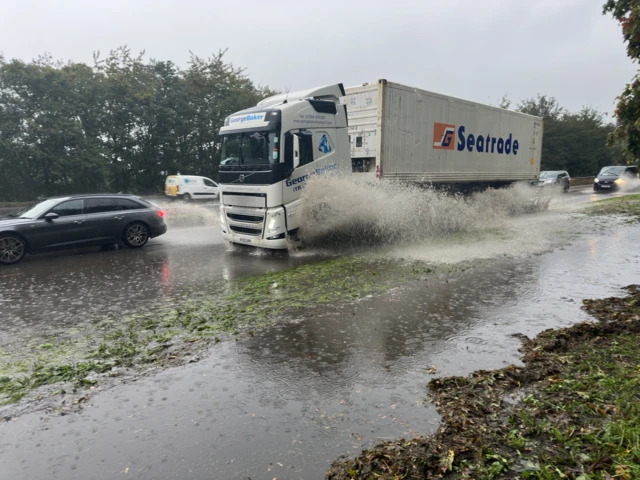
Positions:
(125, 122)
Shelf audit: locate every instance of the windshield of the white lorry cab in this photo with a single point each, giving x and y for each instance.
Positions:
(251, 148)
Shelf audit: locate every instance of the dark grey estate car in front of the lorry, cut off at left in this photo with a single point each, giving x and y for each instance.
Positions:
(79, 221)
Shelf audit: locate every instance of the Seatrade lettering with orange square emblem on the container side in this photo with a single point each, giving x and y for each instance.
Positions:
(446, 138)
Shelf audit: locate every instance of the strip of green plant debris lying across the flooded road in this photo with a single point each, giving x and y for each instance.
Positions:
(171, 335)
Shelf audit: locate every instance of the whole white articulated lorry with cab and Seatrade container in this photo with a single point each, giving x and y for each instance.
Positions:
(379, 131)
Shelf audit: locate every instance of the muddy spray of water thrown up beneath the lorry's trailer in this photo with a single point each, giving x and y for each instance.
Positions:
(343, 211)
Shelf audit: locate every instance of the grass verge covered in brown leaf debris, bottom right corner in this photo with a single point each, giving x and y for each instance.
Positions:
(578, 416)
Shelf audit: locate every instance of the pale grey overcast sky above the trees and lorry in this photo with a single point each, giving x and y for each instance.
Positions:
(473, 49)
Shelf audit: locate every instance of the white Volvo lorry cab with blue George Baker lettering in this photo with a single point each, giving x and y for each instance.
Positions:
(269, 152)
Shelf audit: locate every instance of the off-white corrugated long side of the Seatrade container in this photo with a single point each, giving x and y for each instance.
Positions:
(409, 118)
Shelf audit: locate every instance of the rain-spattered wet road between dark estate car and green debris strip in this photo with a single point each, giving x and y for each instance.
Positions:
(63, 290)
